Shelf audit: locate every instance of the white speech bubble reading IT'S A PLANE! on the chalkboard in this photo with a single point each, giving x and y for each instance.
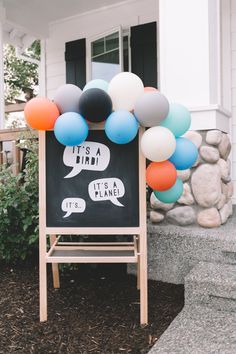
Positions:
(107, 189)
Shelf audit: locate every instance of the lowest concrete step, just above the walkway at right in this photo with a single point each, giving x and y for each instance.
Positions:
(213, 285)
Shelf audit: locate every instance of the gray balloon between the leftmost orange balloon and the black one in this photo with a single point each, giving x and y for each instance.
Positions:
(67, 98)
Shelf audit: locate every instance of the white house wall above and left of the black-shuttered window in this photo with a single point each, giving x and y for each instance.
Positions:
(88, 25)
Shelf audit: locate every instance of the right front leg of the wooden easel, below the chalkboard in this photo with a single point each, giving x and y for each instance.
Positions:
(143, 282)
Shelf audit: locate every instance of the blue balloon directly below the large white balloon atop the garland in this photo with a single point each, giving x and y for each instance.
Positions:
(121, 127)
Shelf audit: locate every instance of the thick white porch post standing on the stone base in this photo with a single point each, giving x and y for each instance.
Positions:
(191, 36)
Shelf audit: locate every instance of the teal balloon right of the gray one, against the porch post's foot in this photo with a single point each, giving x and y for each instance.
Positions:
(178, 119)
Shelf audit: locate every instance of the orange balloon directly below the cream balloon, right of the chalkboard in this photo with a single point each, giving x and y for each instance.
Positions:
(161, 176)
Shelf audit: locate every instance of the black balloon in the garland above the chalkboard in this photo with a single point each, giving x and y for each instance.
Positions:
(95, 105)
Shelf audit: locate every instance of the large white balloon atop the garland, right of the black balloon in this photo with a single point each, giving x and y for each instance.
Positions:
(124, 89)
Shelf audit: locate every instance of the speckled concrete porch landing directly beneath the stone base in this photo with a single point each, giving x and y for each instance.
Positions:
(174, 250)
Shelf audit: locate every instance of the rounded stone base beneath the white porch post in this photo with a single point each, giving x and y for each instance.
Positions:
(206, 199)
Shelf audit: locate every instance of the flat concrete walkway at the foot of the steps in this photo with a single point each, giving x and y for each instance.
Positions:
(199, 330)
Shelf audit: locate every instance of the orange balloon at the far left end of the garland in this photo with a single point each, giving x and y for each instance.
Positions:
(41, 113)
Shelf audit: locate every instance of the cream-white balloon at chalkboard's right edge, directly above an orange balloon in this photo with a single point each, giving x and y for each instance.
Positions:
(158, 144)
